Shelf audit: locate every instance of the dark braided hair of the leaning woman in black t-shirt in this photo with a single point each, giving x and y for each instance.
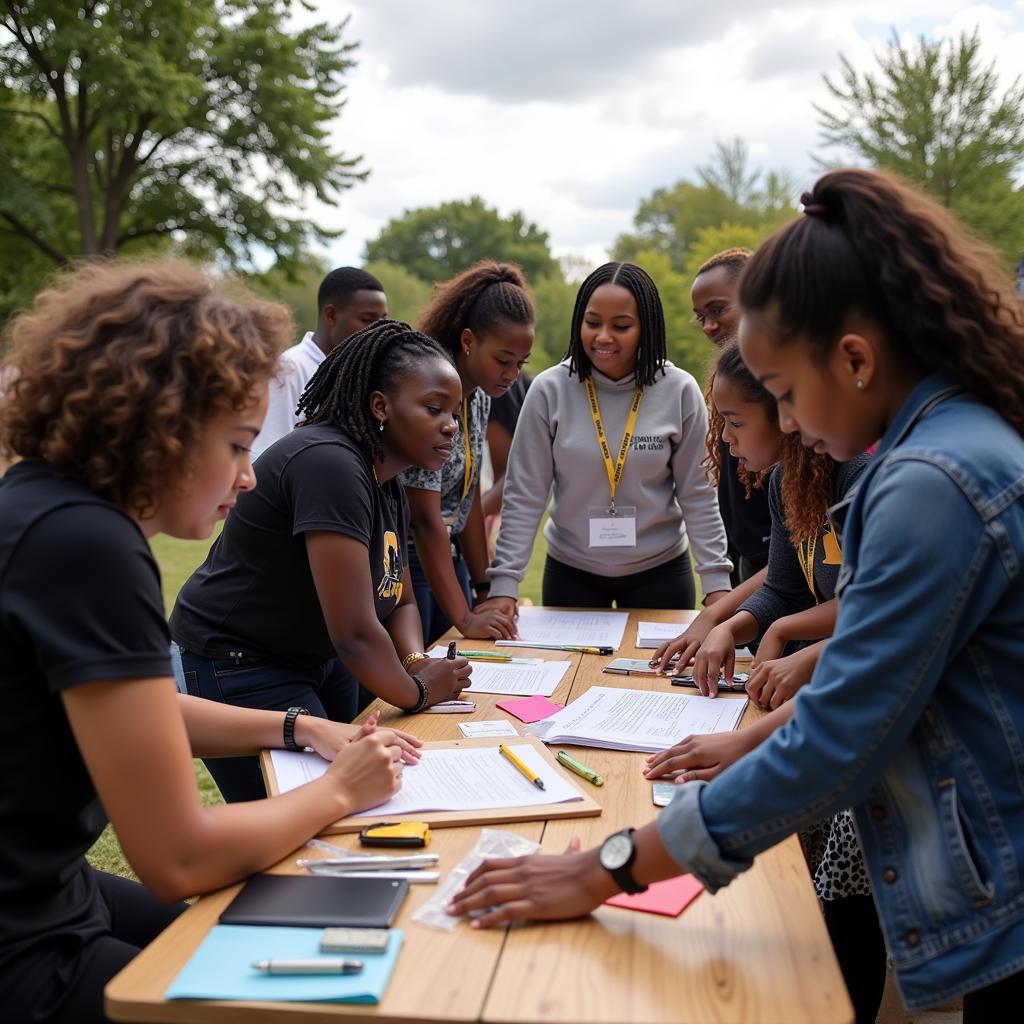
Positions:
(372, 360)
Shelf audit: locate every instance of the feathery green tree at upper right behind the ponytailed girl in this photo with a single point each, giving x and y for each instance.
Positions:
(933, 113)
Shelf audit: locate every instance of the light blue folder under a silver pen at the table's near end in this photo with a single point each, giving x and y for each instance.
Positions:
(222, 968)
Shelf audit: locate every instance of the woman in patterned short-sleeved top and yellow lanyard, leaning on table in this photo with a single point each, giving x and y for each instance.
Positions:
(485, 320)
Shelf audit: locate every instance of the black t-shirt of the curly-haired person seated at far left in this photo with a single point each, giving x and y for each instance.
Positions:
(80, 603)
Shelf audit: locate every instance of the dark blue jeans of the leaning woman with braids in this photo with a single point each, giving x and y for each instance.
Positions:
(329, 691)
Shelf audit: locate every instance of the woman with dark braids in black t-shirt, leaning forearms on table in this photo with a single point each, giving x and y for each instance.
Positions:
(307, 591)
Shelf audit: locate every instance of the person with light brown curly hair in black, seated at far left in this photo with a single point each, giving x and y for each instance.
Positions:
(140, 390)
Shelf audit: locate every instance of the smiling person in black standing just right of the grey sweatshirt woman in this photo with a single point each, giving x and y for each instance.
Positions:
(743, 501)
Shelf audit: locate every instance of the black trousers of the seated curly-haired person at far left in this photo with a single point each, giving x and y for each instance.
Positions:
(64, 982)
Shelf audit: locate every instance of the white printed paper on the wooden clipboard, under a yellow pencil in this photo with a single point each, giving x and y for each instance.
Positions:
(472, 780)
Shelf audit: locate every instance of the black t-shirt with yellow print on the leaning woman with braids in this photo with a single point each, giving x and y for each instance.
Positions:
(255, 591)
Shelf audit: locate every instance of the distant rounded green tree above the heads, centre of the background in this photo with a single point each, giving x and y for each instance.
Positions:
(437, 243)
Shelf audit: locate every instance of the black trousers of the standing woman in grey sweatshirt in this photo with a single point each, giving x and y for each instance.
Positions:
(668, 586)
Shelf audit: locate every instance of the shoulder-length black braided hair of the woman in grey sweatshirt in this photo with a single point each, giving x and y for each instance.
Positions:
(652, 353)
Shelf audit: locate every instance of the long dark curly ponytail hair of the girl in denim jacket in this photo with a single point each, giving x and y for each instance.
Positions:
(873, 246)
